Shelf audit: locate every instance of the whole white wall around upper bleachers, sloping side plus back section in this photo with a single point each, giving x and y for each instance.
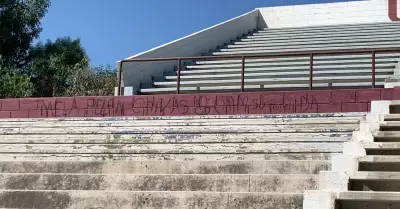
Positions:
(351, 12)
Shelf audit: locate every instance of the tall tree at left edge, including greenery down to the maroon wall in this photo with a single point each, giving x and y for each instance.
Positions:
(19, 26)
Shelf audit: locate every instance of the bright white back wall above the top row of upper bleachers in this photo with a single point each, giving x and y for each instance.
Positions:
(350, 12)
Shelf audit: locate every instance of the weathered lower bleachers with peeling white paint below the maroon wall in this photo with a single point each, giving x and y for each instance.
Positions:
(235, 162)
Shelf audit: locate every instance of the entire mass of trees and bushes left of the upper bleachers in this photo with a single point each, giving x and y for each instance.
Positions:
(50, 69)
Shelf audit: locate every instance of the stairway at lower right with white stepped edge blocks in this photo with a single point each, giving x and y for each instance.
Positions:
(367, 175)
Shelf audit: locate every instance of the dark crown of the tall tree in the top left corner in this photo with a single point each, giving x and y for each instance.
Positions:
(19, 26)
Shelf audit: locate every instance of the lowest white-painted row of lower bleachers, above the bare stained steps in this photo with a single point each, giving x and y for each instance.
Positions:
(220, 148)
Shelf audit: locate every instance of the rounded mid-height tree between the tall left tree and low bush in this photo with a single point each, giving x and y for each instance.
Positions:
(54, 64)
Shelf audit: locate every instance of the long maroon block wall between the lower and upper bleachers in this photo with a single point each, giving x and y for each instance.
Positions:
(327, 101)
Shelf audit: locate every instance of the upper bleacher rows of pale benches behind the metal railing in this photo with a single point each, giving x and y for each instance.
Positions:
(333, 71)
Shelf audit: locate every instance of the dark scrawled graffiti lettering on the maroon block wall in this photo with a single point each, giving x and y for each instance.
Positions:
(176, 105)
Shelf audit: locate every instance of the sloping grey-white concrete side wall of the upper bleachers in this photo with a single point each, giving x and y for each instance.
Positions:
(192, 45)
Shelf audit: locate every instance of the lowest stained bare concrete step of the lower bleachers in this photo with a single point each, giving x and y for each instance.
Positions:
(147, 200)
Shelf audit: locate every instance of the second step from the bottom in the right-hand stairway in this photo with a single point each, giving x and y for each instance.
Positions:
(375, 181)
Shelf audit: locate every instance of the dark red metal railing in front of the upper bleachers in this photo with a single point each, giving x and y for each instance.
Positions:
(243, 58)
